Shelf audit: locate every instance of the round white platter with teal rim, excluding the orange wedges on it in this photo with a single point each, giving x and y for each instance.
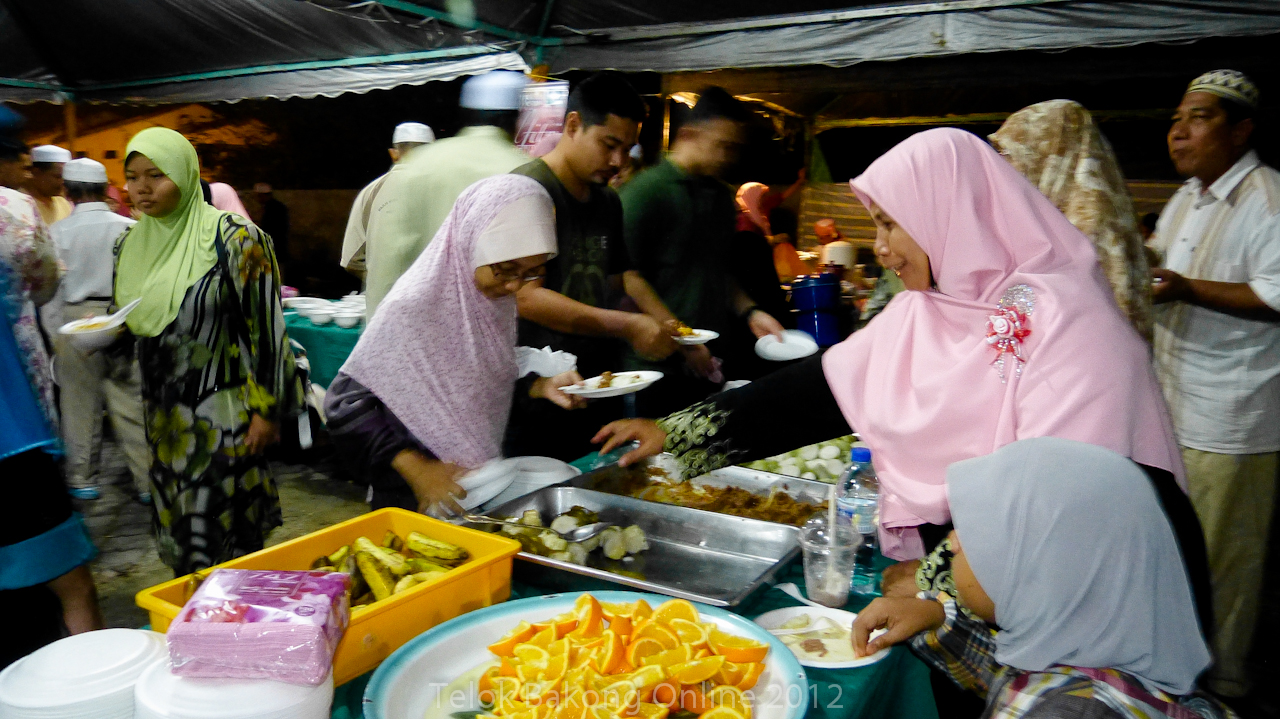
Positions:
(414, 683)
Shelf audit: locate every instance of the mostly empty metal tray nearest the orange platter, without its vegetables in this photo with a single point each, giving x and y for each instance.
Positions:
(703, 557)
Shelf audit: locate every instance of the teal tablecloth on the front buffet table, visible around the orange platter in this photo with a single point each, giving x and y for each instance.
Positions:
(897, 688)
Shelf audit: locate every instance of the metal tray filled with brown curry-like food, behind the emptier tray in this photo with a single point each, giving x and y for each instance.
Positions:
(732, 491)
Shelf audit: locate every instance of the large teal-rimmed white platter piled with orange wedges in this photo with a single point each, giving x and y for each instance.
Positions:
(618, 654)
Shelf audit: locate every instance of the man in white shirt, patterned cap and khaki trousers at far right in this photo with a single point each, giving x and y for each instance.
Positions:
(1218, 346)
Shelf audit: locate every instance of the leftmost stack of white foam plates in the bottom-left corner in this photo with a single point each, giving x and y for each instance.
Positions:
(89, 676)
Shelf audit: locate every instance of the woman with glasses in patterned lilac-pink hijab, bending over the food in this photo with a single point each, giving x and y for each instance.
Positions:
(426, 395)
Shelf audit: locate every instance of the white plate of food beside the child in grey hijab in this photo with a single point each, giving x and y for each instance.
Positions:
(819, 636)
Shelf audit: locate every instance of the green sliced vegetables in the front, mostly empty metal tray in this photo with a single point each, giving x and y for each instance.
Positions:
(615, 543)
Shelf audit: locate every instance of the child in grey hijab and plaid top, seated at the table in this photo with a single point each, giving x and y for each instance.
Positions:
(1073, 597)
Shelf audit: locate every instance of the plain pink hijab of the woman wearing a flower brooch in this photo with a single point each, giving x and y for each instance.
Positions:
(920, 382)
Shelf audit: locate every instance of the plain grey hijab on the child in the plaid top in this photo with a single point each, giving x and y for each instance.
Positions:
(1072, 546)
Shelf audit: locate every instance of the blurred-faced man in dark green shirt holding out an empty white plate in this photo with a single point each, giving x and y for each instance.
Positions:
(679, 222)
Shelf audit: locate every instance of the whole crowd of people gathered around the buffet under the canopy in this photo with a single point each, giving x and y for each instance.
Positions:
(1072, 413)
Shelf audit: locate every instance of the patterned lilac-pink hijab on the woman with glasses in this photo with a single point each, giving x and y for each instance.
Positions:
(438, 352)
